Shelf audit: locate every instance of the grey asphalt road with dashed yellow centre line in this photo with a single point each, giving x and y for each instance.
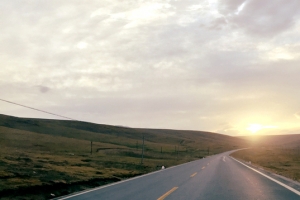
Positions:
(215, 177)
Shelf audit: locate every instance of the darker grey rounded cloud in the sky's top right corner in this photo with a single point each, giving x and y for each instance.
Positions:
(263, 18)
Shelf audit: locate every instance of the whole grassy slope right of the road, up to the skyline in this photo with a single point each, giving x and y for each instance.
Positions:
(279, 154)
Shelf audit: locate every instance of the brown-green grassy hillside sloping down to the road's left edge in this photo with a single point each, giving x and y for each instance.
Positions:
(40, 158)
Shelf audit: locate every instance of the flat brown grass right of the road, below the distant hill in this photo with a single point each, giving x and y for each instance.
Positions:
(281, 160)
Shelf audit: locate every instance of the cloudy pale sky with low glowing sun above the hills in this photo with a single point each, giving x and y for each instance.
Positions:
(225, 66)
